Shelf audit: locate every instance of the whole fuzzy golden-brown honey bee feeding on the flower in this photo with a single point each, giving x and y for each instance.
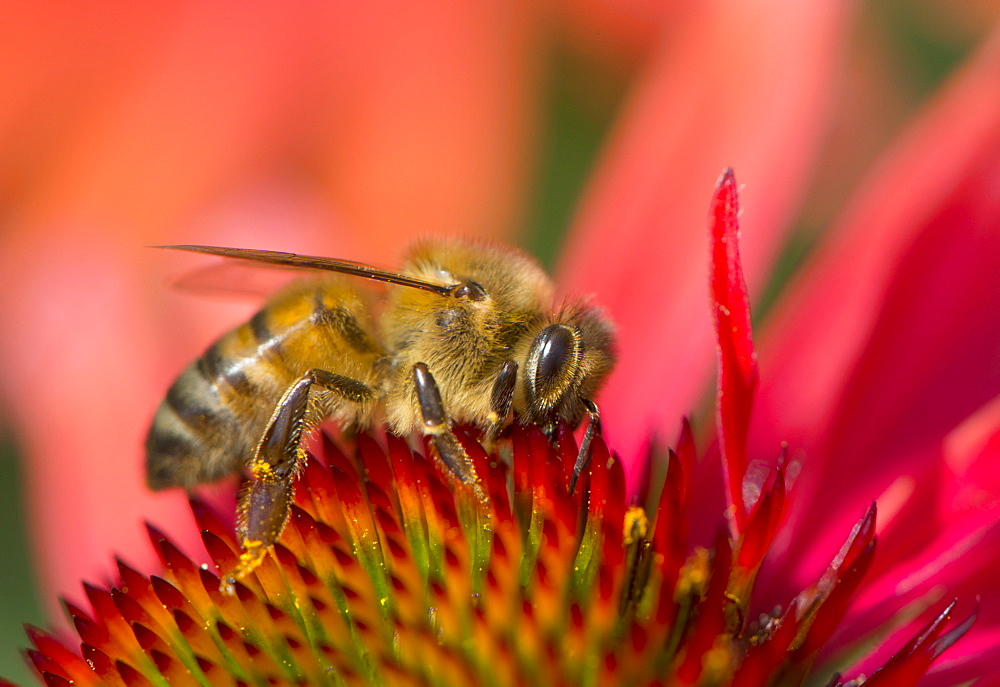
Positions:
(469, 333)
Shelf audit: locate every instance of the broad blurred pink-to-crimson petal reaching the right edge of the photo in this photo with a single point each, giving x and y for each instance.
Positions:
(892, 336)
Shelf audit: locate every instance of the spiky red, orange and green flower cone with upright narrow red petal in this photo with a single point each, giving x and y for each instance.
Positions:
(392, 571)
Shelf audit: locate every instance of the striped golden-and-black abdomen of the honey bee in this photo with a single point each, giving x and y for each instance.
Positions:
(215, 413)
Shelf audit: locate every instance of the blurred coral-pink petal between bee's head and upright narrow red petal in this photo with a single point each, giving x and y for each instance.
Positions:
(738, 84)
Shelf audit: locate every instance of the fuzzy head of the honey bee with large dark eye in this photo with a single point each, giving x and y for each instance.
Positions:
(567, 362)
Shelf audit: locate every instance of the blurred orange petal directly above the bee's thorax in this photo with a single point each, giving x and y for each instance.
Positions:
(429, 123)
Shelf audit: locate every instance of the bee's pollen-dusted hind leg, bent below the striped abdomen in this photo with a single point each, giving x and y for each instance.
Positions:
(266, 502)
